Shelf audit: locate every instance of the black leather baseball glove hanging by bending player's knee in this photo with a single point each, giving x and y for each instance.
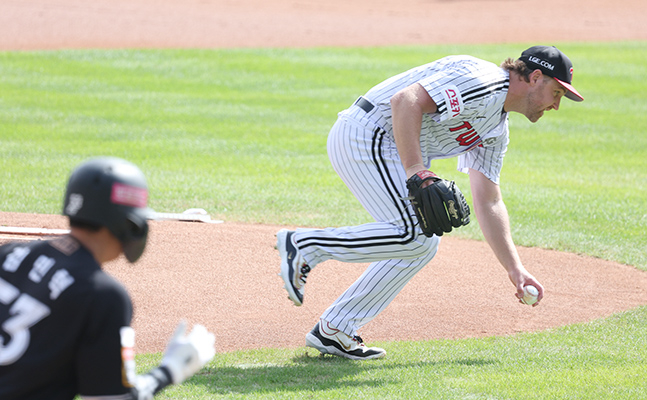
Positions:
(438, 206)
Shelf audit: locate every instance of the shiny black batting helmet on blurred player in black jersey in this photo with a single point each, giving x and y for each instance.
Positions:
(112, 193)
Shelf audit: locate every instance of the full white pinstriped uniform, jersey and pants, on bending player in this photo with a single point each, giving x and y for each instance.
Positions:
(470, 124)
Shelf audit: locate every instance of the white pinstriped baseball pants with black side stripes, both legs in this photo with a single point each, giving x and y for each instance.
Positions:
(369, 164)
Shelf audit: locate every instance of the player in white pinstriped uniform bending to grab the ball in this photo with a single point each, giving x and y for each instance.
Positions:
(454, 107)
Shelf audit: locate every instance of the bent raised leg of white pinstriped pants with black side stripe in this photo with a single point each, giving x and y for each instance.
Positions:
(377, 180)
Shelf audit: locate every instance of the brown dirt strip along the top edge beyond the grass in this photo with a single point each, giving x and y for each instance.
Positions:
(55, 24)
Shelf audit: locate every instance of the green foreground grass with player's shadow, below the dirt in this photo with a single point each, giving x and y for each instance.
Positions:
(600, 360)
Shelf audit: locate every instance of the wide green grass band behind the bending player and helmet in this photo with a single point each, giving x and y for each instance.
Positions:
(242, 133)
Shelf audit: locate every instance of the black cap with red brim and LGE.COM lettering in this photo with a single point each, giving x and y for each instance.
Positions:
(553, 63)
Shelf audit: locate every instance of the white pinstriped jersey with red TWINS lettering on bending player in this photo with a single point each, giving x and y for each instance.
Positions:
(470, 122)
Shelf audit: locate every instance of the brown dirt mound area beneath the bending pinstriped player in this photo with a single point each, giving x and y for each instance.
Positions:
(225, 276)
